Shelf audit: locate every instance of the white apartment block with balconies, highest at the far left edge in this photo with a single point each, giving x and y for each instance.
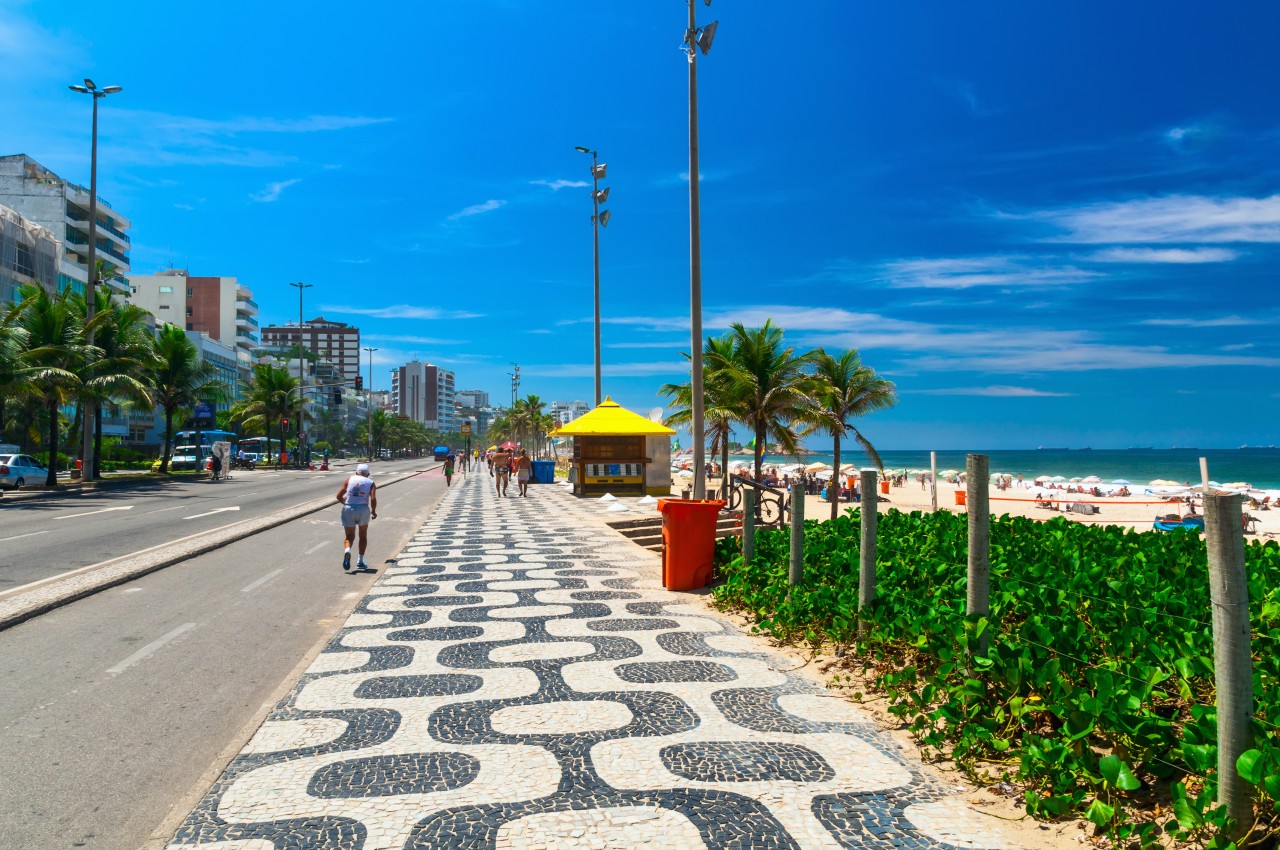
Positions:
(62, 208)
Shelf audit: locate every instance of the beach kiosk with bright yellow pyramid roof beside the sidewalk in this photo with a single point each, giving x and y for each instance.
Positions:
(619, 453)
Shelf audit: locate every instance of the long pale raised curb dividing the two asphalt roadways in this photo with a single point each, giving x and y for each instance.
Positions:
(61, 591)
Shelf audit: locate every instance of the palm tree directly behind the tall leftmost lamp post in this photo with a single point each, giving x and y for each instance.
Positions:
(124, 357)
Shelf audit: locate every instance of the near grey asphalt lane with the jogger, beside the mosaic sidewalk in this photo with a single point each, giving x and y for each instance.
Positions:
(117, 709)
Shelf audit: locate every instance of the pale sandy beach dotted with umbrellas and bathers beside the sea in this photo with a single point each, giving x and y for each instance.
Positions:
(1136, 511)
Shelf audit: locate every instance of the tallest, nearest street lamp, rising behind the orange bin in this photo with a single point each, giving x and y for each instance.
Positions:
(697, 40)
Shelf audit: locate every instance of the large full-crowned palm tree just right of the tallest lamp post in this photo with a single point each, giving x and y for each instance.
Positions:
(769, 385)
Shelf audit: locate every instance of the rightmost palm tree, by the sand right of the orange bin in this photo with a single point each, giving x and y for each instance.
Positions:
(847, 390)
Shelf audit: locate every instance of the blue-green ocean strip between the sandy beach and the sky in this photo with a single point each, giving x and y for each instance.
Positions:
(1259, 467)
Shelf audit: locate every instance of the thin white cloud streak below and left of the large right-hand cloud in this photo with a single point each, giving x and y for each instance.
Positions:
(966, 273)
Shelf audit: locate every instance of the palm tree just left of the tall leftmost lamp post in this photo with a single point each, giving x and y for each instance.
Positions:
(53, 358)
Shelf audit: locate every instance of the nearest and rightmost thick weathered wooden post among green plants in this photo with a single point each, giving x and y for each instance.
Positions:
(1233, 669)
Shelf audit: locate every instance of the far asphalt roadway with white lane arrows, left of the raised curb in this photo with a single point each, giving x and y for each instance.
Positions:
(42, 538)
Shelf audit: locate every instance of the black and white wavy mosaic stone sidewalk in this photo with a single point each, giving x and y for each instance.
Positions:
(522, 680)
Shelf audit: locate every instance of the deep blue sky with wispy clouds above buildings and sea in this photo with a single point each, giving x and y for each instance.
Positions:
(1048, 223)
